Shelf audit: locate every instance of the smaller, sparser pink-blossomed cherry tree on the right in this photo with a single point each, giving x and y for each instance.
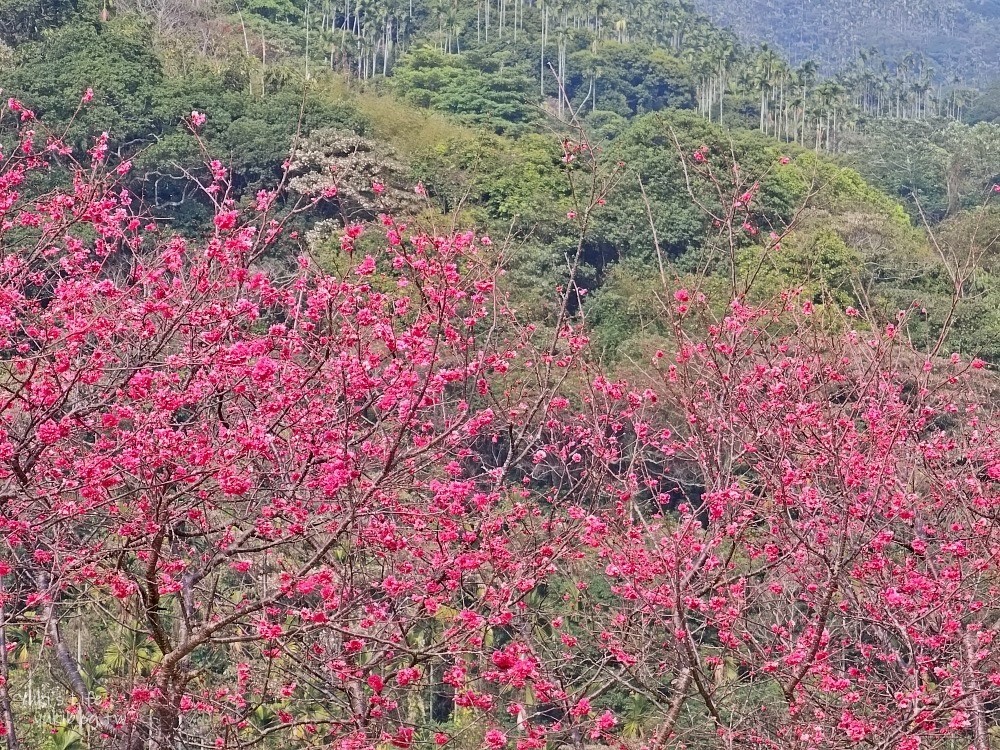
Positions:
(810, 557)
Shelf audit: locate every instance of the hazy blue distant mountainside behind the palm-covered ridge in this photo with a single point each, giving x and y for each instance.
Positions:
(959, 36)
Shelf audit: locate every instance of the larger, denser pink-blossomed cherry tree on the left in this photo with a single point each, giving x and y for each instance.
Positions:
(297, 494)
